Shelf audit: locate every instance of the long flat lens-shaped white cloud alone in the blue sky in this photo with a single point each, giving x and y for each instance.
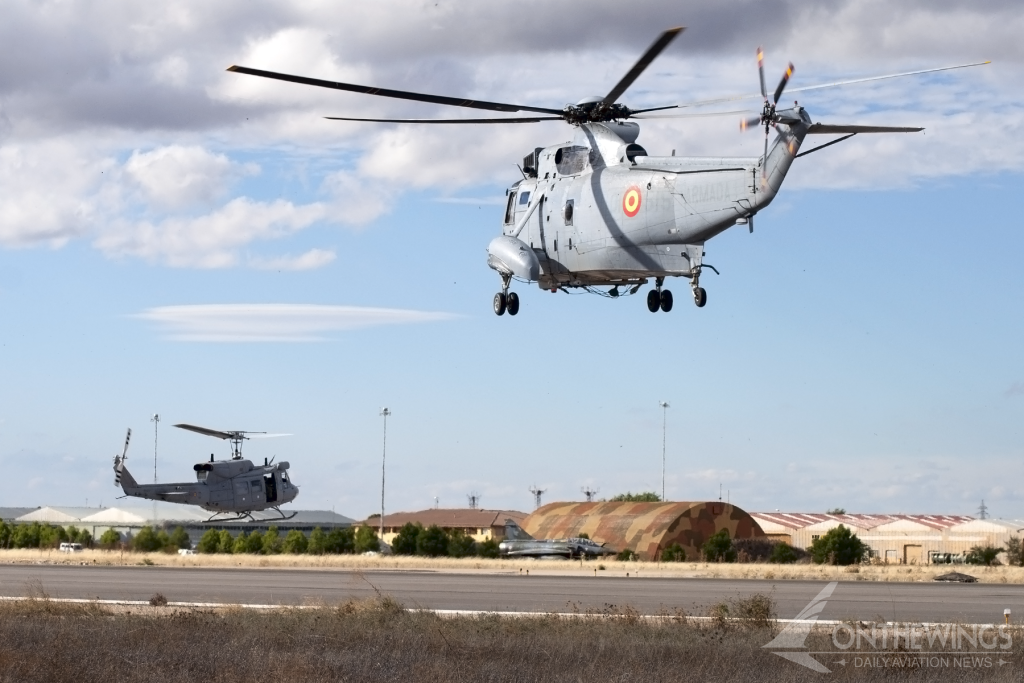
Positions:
(275, 323)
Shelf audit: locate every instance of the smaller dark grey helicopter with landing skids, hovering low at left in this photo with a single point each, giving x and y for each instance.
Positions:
(235, 488)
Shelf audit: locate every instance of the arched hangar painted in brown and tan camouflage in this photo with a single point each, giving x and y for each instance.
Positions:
(647, 529)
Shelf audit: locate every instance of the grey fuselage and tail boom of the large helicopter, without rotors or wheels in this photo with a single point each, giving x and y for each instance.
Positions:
(601, 211)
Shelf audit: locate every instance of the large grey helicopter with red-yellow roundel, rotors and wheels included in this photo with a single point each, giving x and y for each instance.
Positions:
(600, 211)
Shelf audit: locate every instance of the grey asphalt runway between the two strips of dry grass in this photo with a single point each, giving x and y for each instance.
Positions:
(510, 592)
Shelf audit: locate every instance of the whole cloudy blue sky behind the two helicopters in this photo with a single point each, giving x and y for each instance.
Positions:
(183, 241)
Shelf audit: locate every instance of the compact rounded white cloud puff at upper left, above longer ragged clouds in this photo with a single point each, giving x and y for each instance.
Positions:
(177, 177)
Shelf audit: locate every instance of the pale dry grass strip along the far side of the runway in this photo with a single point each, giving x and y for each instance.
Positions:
(998, 575)
